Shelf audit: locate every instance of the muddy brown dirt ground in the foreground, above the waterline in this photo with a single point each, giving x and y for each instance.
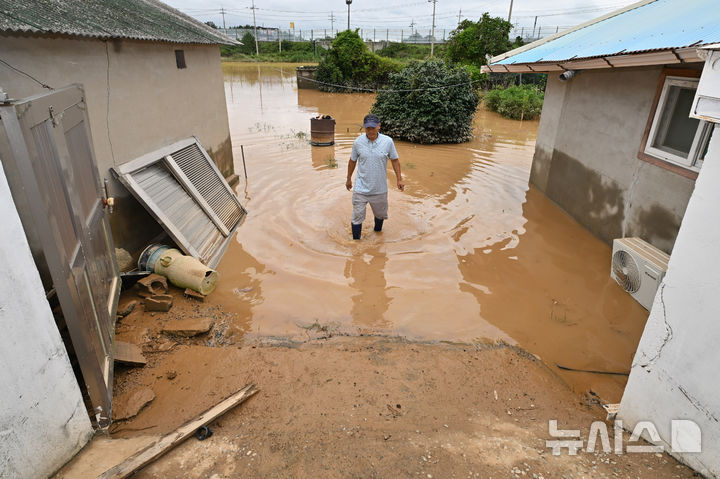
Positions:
(332, 405)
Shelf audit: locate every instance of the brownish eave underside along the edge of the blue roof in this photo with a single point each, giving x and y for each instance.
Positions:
(648, 58)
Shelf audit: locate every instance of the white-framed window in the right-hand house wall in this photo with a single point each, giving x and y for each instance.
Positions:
(674, 136)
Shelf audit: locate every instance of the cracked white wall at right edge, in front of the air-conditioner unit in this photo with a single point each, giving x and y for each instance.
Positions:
(675, 371)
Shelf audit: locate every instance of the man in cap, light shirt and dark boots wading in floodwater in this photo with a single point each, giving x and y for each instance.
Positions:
(370, 153)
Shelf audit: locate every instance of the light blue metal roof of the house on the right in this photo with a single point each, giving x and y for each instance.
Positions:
(663, 24)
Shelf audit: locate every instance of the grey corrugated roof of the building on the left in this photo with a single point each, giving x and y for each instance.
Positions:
(132, 19)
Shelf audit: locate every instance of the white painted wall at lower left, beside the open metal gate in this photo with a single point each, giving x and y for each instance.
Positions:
(43, 421)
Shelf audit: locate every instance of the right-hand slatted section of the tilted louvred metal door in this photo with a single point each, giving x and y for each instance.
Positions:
(192, 162)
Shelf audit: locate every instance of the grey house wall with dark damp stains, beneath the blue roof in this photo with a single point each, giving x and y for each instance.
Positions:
(586, 156)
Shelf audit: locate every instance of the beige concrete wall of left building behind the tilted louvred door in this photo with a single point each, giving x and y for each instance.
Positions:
(138, 101)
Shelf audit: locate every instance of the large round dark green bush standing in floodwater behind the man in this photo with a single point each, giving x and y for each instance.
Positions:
(427, 114)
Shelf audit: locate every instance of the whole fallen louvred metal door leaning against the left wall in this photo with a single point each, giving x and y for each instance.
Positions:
(181, 187)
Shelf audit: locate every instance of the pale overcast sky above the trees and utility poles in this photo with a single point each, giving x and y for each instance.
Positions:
(395, 14)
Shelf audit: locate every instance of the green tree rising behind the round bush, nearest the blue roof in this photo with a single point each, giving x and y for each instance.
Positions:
(472, 42)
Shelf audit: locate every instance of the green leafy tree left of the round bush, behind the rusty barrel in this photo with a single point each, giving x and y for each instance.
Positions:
(350, 63)
